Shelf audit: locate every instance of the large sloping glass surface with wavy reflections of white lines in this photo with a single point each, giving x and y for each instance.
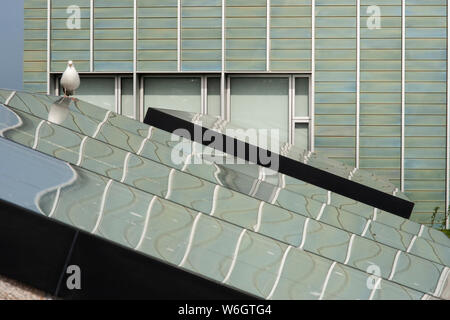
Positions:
(270, 235)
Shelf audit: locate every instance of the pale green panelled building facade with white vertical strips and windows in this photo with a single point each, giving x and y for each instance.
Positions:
(361, 81)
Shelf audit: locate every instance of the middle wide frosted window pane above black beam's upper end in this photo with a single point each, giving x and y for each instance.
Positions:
(183, 94)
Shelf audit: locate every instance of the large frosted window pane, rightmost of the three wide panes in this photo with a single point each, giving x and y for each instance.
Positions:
(261, 103)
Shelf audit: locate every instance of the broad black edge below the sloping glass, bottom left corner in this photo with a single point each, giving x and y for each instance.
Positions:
(35, 250)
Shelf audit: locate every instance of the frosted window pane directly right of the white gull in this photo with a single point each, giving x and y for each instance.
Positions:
(98, 91)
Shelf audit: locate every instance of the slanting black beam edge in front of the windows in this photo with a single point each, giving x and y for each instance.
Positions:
(290, 167)
